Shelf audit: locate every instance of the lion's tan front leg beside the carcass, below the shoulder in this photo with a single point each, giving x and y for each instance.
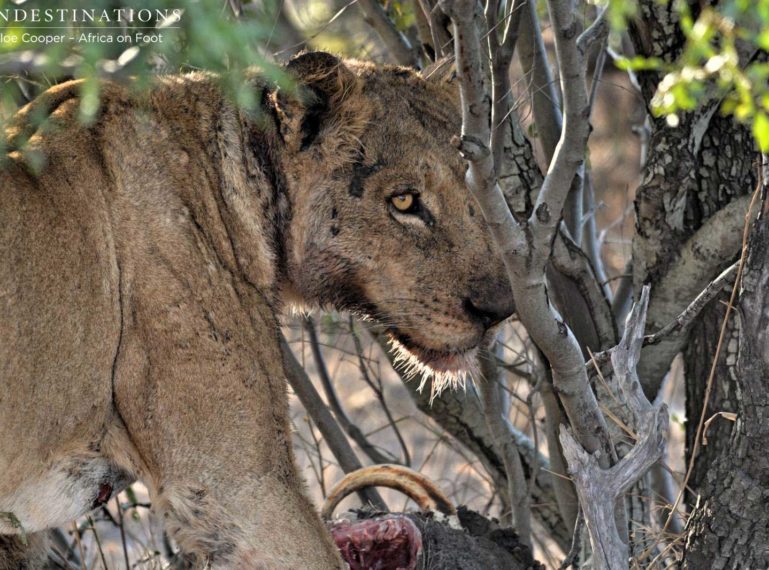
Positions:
(204, 403)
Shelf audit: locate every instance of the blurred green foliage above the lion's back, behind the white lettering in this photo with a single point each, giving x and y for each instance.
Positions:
(43, 43)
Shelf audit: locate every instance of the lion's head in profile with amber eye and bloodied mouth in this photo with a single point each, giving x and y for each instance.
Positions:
(382, 222)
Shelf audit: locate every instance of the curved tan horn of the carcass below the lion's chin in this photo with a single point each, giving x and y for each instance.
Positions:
(412, 484)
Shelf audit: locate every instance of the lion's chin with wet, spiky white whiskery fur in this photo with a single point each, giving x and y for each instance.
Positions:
(444, 369)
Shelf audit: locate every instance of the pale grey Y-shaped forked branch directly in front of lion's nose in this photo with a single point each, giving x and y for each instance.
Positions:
(526, 245)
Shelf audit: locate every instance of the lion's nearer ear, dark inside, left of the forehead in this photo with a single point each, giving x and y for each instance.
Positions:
(311, 113)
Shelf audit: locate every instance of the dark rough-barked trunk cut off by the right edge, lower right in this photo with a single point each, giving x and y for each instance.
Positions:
(731, 527)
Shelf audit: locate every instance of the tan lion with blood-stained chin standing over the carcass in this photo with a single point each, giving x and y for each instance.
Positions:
(143, 266)
